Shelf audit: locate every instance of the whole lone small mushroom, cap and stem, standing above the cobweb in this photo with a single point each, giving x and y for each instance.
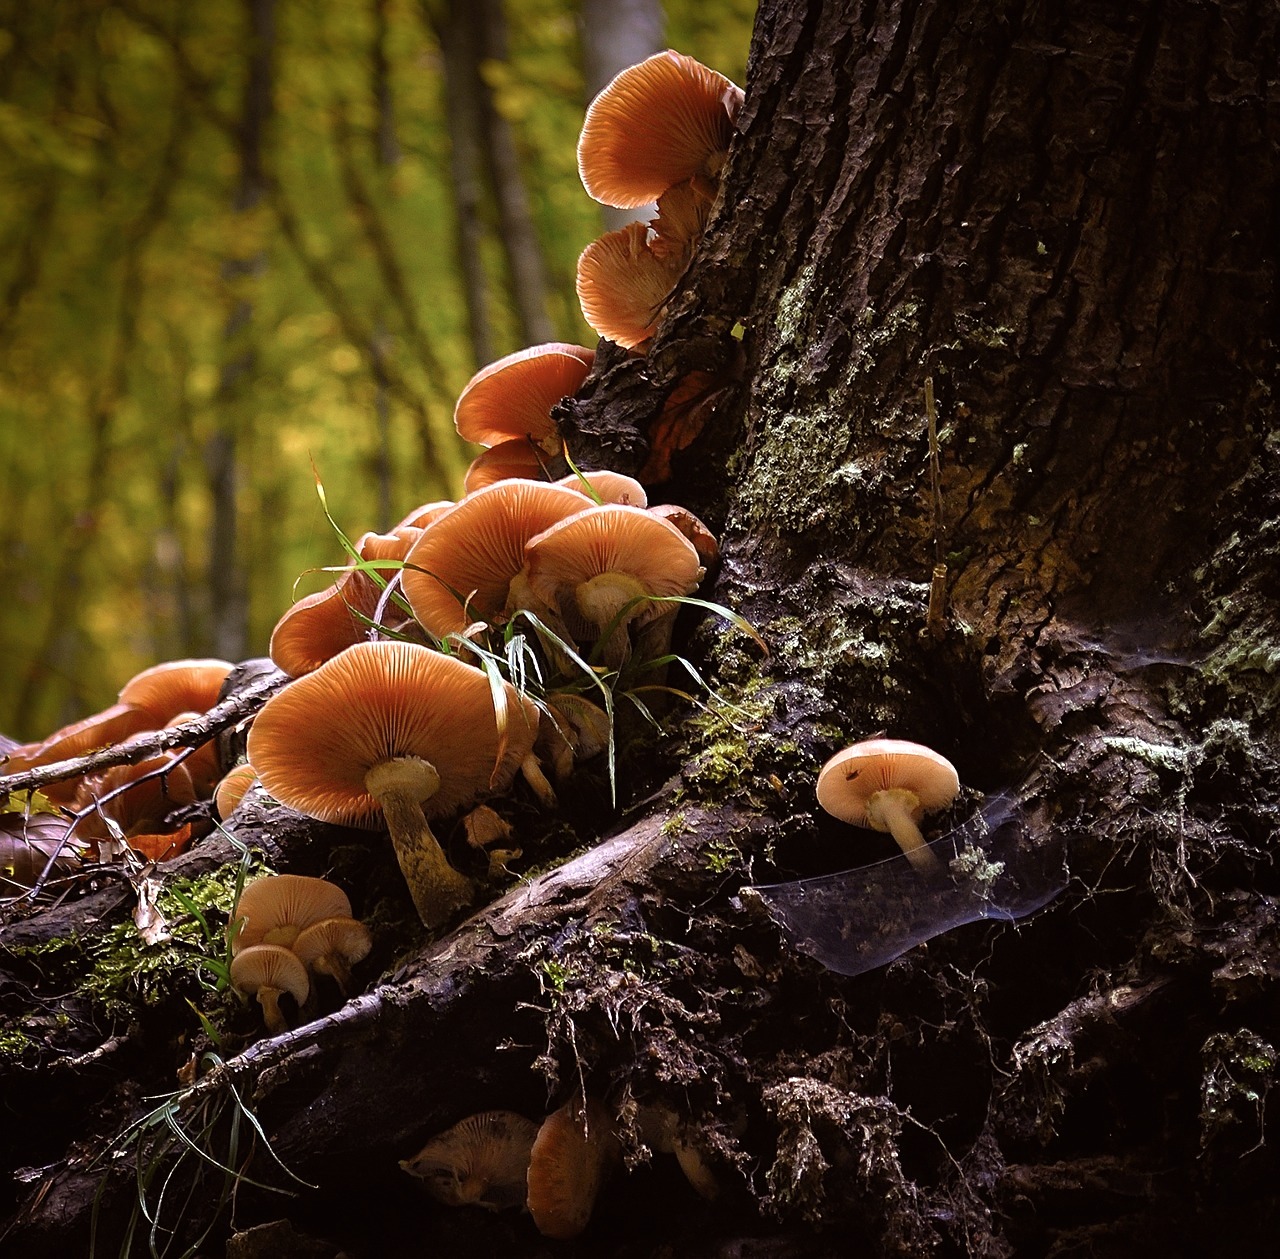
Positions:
(889, 785)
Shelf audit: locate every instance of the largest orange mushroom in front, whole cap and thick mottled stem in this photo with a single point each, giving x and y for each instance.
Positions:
(397, 730)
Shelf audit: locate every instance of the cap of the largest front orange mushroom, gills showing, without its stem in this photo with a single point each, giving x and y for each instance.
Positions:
(314, 743)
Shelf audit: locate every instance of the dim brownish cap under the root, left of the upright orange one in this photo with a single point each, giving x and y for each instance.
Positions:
(482, 1161)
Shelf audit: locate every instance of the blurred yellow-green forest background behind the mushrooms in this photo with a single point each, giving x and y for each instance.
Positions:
(243, 237)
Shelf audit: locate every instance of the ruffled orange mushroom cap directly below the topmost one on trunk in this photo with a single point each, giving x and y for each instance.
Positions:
(623, 286)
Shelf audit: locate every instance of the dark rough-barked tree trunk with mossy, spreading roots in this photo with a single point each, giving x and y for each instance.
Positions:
(1067, 223)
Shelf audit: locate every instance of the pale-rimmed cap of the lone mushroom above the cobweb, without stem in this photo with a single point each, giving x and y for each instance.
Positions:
(852, 777)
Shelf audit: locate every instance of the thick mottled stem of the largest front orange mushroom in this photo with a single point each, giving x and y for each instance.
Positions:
(400, 786)
